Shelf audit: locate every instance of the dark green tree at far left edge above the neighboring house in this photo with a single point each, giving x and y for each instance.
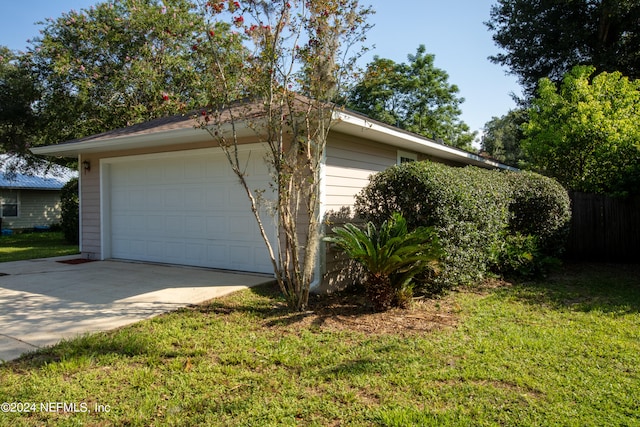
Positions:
(18, 92)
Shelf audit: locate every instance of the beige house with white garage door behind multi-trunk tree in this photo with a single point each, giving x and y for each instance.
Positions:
(162, 191)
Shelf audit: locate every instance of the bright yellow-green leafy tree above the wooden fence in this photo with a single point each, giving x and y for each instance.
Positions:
(584, 131)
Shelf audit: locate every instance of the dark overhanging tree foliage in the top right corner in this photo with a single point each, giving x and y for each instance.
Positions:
(547, 38)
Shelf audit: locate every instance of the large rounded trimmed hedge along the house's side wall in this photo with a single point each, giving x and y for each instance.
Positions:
(472, 211)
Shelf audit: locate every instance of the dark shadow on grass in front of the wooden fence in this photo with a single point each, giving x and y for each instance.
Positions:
(585, 287)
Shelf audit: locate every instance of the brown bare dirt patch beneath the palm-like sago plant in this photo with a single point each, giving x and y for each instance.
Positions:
(351, 312)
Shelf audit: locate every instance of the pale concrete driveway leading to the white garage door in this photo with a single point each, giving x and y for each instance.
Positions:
(43, 301)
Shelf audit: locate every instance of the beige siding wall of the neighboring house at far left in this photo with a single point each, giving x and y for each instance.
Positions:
(35, 207)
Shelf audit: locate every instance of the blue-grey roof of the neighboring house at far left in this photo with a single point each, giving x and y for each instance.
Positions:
(52, 177)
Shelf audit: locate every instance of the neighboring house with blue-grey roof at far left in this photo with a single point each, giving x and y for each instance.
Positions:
(30, 198)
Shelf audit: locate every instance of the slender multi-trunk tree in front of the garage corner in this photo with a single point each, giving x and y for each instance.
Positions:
(294, 47)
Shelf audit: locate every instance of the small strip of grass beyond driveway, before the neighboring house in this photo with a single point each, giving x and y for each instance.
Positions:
(24, 246)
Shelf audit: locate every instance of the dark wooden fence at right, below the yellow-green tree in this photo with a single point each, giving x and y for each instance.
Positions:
(604, 228)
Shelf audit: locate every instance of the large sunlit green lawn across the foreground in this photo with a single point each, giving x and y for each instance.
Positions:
(564, 351)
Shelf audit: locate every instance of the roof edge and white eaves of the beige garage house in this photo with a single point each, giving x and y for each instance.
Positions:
(185, 128)
